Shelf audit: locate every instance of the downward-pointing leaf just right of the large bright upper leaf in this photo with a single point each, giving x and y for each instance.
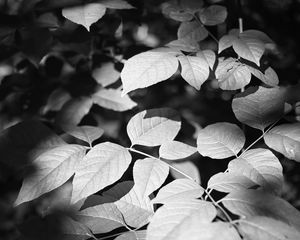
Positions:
(194, 70)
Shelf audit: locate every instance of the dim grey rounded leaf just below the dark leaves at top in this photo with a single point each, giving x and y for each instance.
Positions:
(192, 31)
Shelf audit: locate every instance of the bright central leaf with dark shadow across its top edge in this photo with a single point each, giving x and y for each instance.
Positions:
(153, 127)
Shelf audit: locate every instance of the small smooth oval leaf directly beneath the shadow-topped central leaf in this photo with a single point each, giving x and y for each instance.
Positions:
(174, 150)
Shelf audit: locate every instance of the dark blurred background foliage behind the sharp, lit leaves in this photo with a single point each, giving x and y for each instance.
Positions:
(47, 61)
